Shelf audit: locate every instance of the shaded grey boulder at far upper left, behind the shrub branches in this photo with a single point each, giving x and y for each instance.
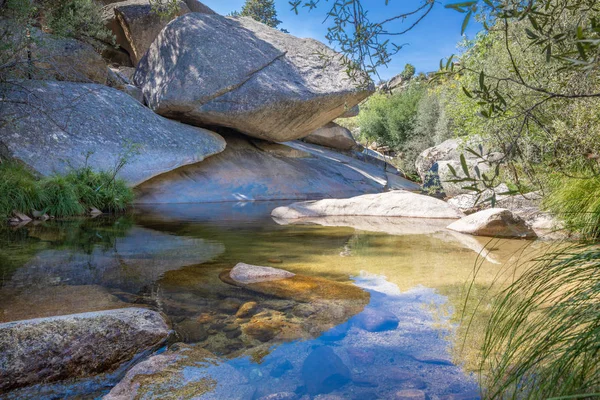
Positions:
(51, 57)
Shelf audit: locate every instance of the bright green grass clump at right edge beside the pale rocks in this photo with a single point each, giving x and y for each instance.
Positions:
(577, 202)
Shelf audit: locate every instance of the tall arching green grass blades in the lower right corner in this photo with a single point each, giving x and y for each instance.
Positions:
(542, 338)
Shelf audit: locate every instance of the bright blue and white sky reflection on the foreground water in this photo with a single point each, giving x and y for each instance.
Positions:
(352, 362)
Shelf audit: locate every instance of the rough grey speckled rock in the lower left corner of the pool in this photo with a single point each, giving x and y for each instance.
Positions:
(53, 349)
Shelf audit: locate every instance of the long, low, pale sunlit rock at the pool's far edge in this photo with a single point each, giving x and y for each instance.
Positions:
(398, 203)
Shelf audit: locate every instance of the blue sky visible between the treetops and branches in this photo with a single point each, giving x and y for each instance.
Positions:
(434, 38)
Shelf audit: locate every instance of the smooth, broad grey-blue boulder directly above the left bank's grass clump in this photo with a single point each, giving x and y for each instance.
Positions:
(53, 126)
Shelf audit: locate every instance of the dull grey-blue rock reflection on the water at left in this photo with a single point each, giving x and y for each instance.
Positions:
(136, 260)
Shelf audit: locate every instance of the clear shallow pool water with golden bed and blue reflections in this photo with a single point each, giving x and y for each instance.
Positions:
(169, 258)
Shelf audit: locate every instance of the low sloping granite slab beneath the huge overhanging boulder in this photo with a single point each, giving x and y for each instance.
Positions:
(248, 170)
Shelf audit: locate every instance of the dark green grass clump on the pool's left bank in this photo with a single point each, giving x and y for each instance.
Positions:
(60, 195)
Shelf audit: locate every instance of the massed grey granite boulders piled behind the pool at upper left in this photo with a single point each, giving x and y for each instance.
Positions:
(213, 106)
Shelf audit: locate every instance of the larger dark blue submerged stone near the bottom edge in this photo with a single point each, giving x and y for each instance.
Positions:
(323, 371)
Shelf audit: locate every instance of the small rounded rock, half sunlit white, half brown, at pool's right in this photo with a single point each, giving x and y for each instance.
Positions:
(495, 222)
